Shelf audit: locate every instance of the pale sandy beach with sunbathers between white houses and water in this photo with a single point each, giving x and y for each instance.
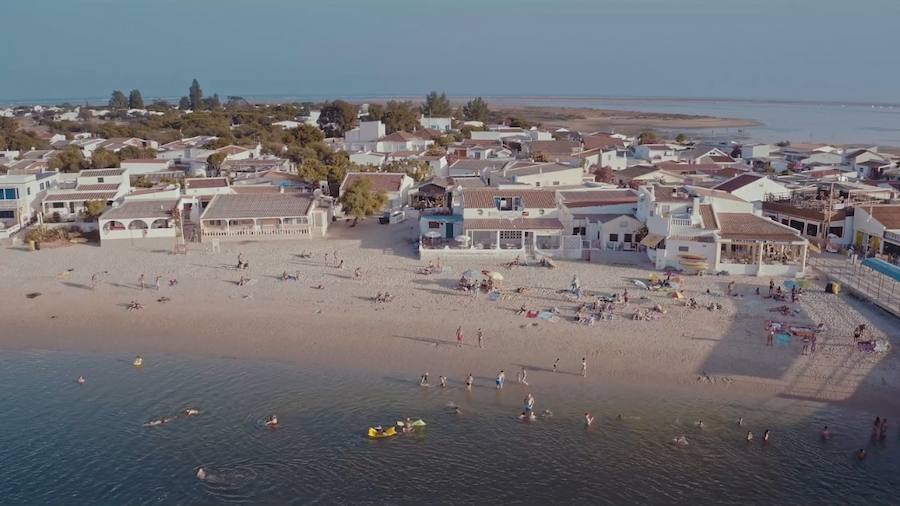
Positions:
(716, 353)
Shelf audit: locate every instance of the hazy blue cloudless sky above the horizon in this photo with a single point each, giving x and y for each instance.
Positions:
(781, 49)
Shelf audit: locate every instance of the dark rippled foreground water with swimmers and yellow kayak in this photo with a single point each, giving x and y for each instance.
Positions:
(63, 443)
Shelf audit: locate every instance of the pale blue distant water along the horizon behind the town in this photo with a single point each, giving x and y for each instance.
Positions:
(797, 121)
